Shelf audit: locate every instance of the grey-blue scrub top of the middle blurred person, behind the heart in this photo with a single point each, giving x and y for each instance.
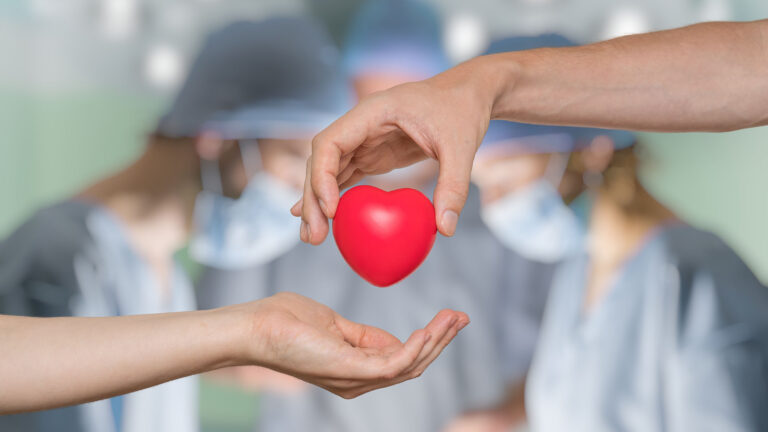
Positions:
(470, 272)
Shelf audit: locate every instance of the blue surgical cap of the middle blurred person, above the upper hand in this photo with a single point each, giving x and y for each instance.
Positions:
(401, 37)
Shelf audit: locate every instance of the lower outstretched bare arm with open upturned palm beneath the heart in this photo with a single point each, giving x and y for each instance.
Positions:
(51, 362)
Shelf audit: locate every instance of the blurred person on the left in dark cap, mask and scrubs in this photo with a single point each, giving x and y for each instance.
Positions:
(109, 250)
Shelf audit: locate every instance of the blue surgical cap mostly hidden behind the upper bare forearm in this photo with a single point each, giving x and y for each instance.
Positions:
(513, 137)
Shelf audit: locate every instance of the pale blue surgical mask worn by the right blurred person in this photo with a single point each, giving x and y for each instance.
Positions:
(534, 221)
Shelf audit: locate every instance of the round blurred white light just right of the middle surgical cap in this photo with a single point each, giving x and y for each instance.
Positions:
(465, 37)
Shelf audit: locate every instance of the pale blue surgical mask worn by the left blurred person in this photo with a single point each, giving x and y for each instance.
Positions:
(251, 230)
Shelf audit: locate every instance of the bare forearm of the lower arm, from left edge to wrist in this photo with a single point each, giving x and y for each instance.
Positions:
(51, 362)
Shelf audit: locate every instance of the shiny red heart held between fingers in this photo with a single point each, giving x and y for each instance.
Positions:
(384, 236)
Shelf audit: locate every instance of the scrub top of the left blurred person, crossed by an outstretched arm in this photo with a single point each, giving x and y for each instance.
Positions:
(73, 258)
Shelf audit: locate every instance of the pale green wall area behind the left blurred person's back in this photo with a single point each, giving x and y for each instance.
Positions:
(53, 144)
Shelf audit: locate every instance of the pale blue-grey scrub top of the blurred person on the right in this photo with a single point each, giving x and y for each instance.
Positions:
(678, 343)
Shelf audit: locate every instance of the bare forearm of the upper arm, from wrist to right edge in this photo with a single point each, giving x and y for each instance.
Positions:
(705, 77)
